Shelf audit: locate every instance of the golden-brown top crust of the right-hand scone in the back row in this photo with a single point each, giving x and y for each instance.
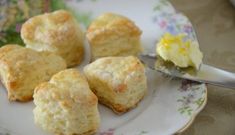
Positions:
(110, 24)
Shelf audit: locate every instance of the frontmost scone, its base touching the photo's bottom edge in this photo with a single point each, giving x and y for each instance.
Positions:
(66, 106)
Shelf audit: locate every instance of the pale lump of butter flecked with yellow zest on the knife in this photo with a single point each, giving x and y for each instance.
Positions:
(183, 53)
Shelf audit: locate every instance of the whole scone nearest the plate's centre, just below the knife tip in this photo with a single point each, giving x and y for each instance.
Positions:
(118, 82)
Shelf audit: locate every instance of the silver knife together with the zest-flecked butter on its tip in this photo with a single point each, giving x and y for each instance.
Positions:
(179, 57)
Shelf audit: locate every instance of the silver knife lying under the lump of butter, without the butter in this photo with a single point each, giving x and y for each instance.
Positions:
(206, 73)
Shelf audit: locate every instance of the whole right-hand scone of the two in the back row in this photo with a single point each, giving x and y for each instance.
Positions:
(113, 35)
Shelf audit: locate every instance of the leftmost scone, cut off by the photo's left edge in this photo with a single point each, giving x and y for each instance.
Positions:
(21, 69)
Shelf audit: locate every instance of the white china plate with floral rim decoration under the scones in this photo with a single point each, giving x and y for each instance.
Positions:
(169, 106)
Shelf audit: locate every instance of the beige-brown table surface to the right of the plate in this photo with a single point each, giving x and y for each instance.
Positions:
(214, 21)
